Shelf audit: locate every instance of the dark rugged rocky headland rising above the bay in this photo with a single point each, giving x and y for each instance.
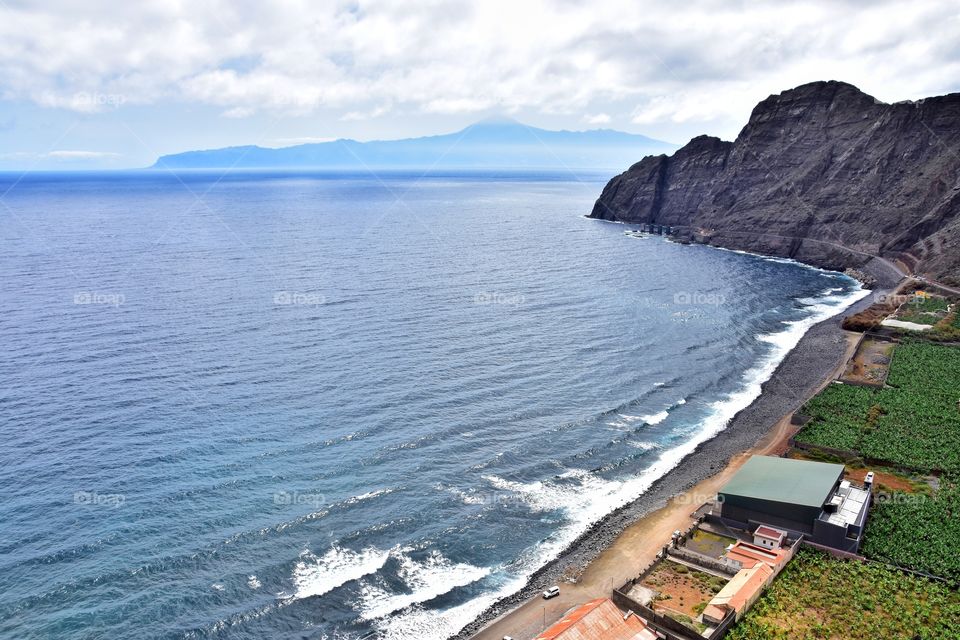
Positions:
(822, 173)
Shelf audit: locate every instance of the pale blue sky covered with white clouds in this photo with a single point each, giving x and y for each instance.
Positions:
(107, 84)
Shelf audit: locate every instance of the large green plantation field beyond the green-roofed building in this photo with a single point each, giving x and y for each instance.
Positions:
(914, 423)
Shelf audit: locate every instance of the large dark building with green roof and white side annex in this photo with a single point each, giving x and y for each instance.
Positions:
(798, 497)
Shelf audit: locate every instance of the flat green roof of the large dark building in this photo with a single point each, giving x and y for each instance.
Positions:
(784, 480)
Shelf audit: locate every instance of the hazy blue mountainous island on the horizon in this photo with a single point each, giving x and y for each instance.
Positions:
(492, 143)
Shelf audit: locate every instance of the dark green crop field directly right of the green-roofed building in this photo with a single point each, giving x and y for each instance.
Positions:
(917, 531)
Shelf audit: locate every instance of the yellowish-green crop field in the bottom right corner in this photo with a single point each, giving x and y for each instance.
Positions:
(818, 596)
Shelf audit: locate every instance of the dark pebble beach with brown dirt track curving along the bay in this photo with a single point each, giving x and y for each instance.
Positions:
(802, 372)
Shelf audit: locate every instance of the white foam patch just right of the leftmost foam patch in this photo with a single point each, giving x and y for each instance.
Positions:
(426, 580)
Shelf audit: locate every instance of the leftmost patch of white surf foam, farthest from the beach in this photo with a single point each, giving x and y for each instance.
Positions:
(315, 576)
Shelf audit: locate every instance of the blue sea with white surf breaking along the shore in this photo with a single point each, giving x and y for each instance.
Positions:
(342, 406)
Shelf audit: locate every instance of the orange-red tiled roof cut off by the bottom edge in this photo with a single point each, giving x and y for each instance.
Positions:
(598, 619)
